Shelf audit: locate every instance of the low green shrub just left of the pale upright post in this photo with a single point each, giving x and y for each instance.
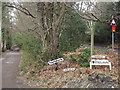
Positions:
(82, 59)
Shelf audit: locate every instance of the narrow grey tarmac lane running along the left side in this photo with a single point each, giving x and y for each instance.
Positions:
(10, 68)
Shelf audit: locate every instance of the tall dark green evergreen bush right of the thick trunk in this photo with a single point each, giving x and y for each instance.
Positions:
(72, 32)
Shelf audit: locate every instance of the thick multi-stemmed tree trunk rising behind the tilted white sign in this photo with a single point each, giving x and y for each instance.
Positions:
(49, 29)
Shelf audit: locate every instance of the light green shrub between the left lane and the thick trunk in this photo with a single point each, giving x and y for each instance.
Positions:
(31, 48)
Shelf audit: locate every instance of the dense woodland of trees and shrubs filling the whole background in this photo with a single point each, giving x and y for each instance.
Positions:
(45, 30)
